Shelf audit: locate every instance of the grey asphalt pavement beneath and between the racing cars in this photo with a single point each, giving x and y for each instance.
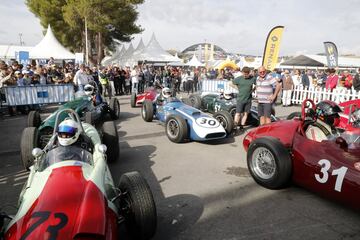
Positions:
(202, 190)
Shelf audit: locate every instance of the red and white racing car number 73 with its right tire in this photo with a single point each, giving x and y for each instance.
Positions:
(70, 194)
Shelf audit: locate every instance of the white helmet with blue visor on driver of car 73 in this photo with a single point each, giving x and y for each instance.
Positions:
(68, 132)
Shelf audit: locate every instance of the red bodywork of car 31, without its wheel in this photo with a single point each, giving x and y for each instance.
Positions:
(306, 154)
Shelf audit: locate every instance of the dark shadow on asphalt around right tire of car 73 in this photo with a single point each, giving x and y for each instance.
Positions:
(175, 213)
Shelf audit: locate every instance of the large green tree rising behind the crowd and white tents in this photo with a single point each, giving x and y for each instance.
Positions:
(107, 21)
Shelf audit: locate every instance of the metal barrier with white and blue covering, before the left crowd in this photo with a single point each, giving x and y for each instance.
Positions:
(38, 94)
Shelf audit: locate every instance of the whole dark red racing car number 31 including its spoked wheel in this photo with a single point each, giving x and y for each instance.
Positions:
(280, 153)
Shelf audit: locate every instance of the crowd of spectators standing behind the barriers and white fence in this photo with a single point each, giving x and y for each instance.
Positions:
(116, 80)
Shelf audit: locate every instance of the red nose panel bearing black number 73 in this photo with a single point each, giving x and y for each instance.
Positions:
(68, 207)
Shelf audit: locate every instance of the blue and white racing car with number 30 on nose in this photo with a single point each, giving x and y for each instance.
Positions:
(183, 122)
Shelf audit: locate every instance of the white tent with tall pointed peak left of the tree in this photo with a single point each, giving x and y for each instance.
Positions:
(48, 47)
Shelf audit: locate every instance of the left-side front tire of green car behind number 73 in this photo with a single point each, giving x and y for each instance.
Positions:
(29, 141)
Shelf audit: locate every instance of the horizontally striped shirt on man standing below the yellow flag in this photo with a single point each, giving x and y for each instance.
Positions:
(265, 88)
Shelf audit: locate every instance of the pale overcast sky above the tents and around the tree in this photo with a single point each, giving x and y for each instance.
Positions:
(237, 26)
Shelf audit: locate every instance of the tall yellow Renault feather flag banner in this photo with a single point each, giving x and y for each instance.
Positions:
(272, 48)
